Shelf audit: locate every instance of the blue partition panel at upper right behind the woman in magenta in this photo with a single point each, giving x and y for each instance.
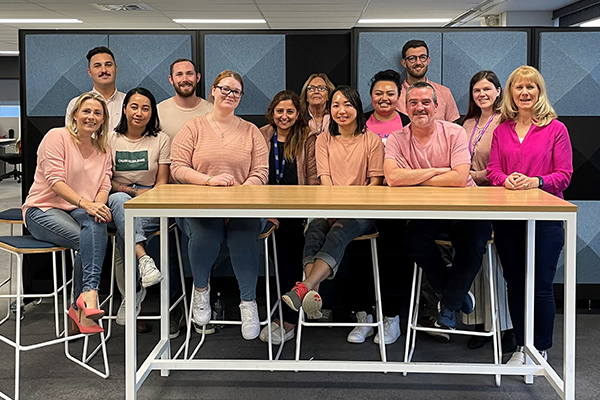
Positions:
(570, 64)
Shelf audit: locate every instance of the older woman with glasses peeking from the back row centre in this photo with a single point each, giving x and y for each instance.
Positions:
(314, 97)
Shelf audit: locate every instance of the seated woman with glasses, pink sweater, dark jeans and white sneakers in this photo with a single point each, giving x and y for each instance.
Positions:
(221, 149)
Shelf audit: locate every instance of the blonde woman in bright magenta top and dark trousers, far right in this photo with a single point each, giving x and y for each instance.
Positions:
(530, 149)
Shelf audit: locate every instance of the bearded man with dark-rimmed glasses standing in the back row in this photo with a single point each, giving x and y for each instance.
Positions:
(415, 58)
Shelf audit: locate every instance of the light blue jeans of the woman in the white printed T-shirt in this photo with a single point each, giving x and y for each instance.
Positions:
(144, 226)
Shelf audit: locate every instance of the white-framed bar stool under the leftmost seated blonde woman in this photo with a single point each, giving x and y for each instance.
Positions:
(23, 245)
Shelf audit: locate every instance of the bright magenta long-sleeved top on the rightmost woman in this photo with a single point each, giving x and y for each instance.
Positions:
(546, 151)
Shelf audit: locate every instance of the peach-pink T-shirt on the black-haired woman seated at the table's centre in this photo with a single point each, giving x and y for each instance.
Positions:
(350, 161)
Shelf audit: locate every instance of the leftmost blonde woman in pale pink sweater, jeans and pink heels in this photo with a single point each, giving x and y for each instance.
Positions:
(66, 204)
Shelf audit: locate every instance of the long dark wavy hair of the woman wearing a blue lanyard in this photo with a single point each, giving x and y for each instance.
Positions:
(298, 132)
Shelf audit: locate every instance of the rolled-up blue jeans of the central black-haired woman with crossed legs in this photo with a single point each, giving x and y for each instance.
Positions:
(328, 243)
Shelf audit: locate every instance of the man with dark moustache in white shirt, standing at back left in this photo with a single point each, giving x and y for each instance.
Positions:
(103, 71)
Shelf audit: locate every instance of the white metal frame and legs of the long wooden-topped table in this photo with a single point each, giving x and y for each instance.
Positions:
(160, 357)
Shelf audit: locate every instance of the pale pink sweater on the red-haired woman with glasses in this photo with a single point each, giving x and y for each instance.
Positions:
(198, 147)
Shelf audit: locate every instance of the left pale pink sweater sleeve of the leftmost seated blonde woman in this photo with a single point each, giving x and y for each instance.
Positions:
(52, 155)
